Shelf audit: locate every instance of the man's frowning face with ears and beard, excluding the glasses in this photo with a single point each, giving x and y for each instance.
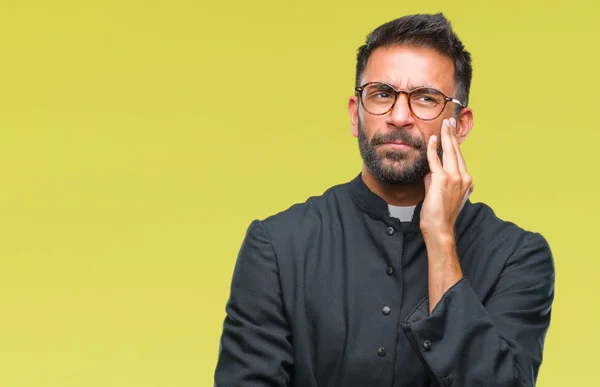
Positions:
(394, 146)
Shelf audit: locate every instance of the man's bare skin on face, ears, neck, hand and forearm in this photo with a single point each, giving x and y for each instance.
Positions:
(445, 187)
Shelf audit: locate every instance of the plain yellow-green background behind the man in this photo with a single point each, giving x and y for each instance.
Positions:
(138, 139)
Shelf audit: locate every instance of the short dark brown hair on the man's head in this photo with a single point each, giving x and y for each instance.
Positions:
(421, 30)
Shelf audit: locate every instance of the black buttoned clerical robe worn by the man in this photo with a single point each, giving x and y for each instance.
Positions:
(333, 293)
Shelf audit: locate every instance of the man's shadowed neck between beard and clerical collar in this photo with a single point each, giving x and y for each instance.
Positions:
(394, 194)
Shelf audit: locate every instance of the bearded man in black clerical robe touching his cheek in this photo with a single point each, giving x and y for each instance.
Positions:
(394, 278)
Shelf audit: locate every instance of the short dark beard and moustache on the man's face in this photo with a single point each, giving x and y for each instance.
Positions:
(395, 167)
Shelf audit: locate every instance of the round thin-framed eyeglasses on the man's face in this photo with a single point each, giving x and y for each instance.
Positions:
(425, 103)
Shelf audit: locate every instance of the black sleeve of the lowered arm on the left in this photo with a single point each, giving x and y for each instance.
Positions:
(255, 347)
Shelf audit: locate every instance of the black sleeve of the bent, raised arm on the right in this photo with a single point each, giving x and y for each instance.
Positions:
(466, 343)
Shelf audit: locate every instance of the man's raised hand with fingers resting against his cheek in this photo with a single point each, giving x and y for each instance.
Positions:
(446, 187)
